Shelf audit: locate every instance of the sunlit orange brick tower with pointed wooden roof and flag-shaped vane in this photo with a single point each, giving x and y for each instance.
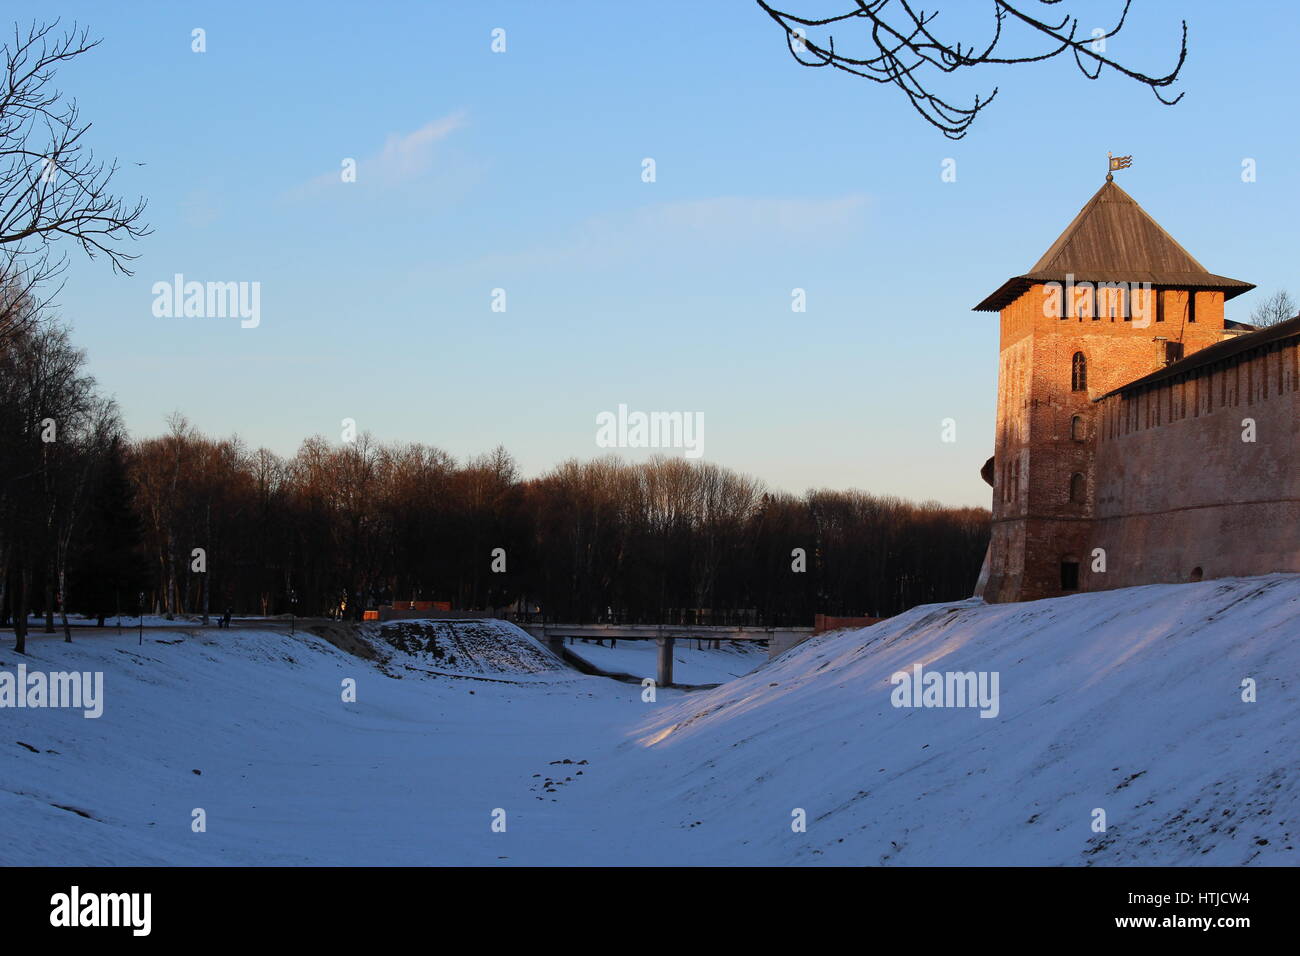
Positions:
(1113, 300)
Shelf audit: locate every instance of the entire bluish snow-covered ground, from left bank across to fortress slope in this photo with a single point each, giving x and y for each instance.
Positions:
(1125, 702)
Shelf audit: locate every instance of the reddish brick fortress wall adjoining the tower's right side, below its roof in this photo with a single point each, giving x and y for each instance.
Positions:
(1180, 488)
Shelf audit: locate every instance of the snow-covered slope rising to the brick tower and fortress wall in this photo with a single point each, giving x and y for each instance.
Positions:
(1128, 702)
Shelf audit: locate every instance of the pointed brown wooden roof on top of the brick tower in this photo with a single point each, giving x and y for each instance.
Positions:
(1113, 240)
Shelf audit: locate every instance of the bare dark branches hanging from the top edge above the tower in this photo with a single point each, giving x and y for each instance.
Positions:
(904, 50)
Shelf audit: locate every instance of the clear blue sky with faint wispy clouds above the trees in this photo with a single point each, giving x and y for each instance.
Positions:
(523, 171)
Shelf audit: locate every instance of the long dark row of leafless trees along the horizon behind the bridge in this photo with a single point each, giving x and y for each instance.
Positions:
(96, 524)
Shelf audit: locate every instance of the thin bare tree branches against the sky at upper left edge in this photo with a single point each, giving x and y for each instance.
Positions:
(51, 185)
